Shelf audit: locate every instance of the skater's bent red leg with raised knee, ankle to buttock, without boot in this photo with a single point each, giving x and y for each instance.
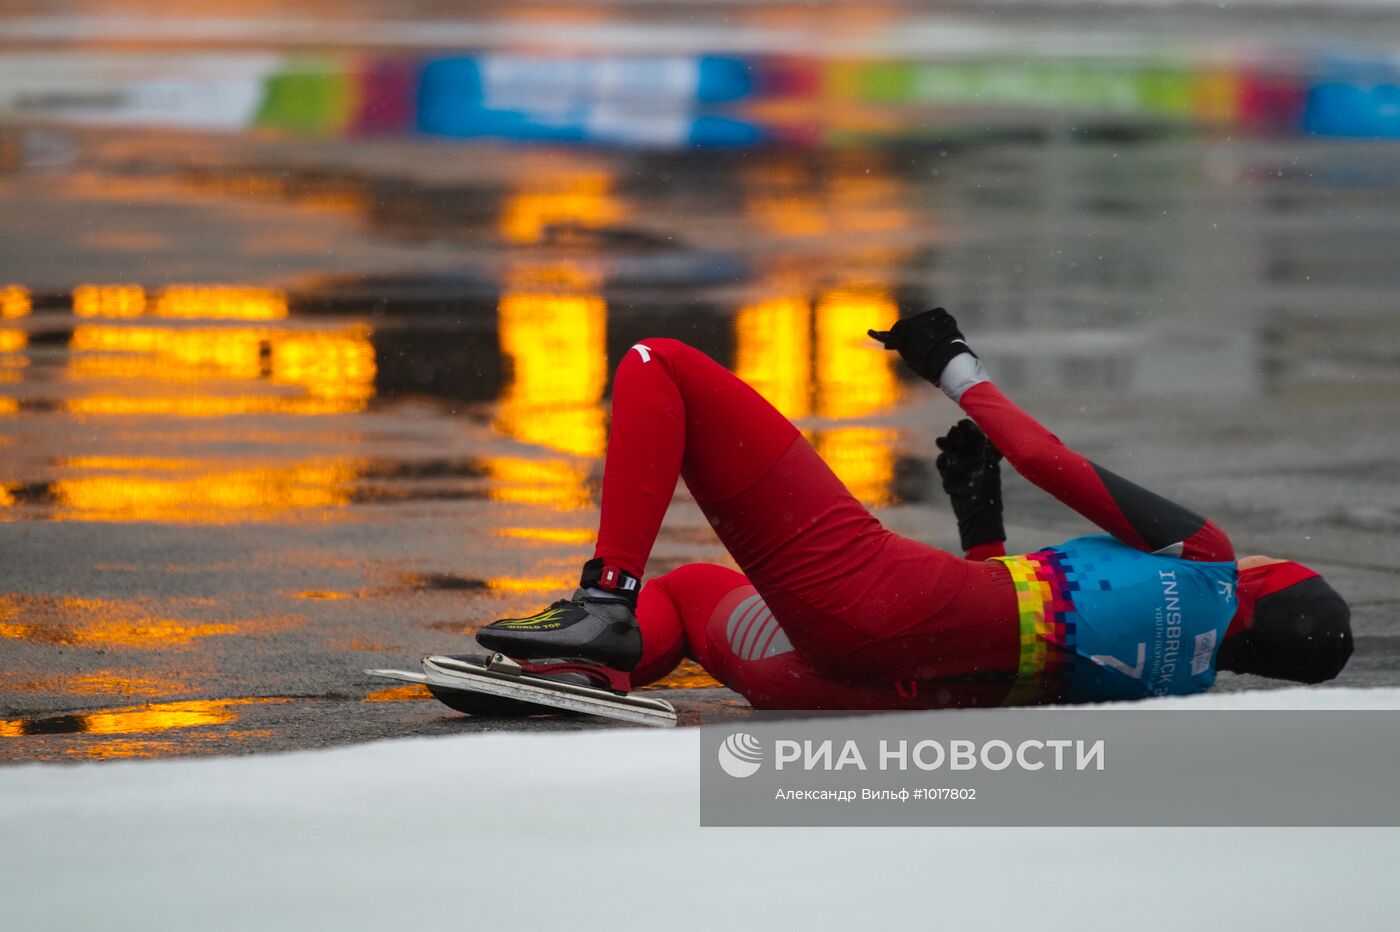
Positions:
(818, 555)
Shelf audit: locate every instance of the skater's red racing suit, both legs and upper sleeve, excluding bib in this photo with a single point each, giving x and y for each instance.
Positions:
(832, 611)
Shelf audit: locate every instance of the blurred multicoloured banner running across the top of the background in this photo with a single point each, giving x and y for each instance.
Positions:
(681, 101)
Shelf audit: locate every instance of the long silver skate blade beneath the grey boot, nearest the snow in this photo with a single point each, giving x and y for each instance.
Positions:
(458, 675)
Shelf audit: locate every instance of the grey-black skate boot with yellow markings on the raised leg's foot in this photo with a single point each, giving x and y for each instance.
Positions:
(597, 626)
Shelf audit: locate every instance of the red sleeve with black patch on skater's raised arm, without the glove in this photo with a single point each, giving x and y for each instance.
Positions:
(1130, 513)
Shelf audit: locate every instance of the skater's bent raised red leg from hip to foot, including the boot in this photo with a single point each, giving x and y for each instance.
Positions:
(857, 600)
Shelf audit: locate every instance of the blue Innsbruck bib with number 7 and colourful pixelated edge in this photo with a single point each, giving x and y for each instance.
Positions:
(1101, 621)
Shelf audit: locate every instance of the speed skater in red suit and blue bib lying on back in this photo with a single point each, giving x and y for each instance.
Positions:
(832, 611)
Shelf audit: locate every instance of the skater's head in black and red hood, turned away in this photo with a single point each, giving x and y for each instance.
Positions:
(1290, 625)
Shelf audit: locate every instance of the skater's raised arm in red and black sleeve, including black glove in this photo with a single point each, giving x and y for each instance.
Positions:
(936, 349)
